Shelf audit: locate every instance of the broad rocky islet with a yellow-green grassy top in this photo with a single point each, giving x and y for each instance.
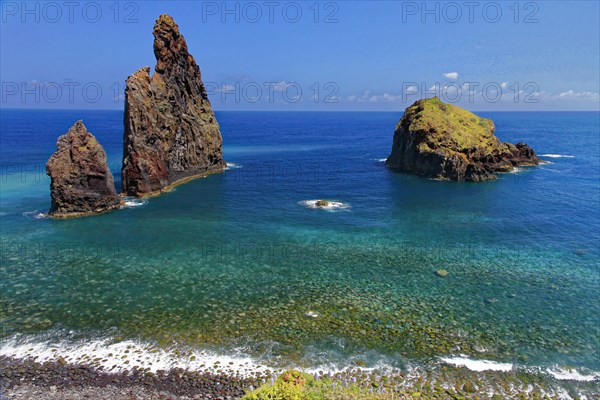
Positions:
(443, 141)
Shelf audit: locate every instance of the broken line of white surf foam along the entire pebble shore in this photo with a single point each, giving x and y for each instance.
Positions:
(119, 356)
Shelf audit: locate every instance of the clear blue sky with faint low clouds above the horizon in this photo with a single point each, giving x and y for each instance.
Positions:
(328, 55)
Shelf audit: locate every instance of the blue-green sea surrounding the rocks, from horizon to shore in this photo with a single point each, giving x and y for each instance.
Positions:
(239, 263)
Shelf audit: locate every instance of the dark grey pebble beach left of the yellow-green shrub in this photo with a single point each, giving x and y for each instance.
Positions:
(21, 379)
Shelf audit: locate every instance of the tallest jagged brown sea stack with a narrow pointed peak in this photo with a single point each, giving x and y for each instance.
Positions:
(170, 129)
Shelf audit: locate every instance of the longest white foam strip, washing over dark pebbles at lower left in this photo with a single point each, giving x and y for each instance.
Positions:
(126, 355)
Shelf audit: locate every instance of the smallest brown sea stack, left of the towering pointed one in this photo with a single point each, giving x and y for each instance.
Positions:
(81, 182)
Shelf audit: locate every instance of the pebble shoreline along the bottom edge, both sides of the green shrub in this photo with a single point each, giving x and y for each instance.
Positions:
(24, 379)
